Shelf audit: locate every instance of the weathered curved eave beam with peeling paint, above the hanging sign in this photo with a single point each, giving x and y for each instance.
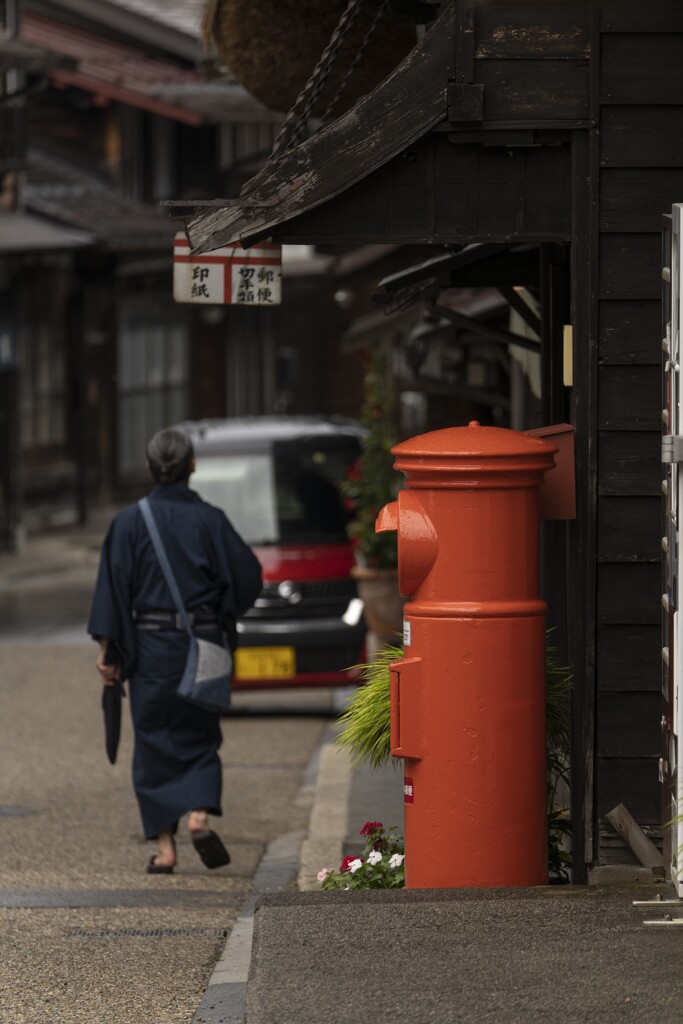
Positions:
(405, 107)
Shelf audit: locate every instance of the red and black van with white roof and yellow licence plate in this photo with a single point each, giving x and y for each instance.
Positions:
(278, 481)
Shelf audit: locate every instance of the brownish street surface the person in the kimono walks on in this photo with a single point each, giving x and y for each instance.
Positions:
(86, 934)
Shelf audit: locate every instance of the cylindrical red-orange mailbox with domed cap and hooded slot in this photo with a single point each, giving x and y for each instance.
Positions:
(468, 711)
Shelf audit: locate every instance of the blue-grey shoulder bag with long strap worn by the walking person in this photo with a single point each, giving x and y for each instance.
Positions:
(207, 678)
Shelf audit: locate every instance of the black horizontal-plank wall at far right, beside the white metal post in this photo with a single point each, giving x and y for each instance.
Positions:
(641, 110)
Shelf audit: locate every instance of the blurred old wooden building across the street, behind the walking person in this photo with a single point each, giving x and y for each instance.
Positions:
(108, 112)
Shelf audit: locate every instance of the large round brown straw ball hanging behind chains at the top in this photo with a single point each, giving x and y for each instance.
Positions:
(274, 47)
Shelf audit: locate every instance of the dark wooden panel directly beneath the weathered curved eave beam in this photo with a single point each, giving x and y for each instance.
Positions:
(442, 192)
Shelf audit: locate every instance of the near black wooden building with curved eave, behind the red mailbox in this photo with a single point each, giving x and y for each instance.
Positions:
(549, 135)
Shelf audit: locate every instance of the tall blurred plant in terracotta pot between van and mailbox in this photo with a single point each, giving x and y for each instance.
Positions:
(371, 484)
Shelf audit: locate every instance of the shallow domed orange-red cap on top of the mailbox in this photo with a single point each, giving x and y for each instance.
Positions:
(475, 441)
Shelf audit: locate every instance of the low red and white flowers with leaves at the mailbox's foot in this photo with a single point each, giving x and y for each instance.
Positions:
(379, 867)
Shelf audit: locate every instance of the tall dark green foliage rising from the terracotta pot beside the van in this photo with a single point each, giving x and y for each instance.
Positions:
(374, 483)
